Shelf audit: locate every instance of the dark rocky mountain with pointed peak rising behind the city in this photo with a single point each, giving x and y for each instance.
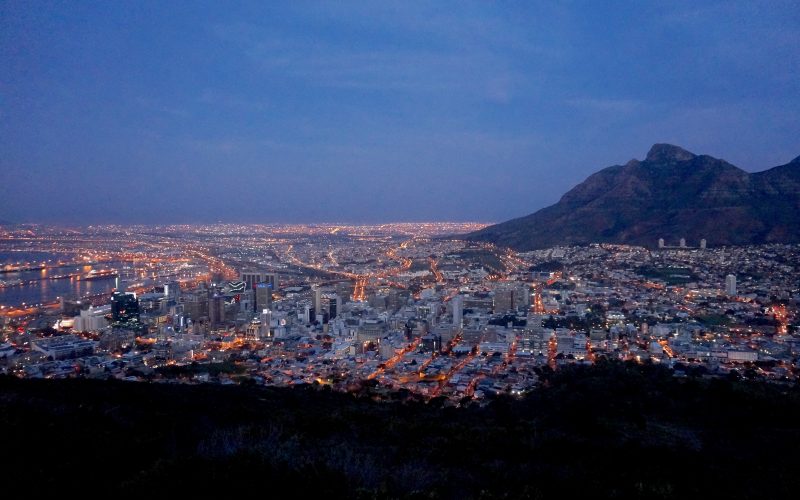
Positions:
(672, 194)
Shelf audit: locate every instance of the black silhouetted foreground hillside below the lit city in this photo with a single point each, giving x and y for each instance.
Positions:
(612, 431)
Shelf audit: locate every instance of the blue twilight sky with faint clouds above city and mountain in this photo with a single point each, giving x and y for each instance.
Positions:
(161, 112)
